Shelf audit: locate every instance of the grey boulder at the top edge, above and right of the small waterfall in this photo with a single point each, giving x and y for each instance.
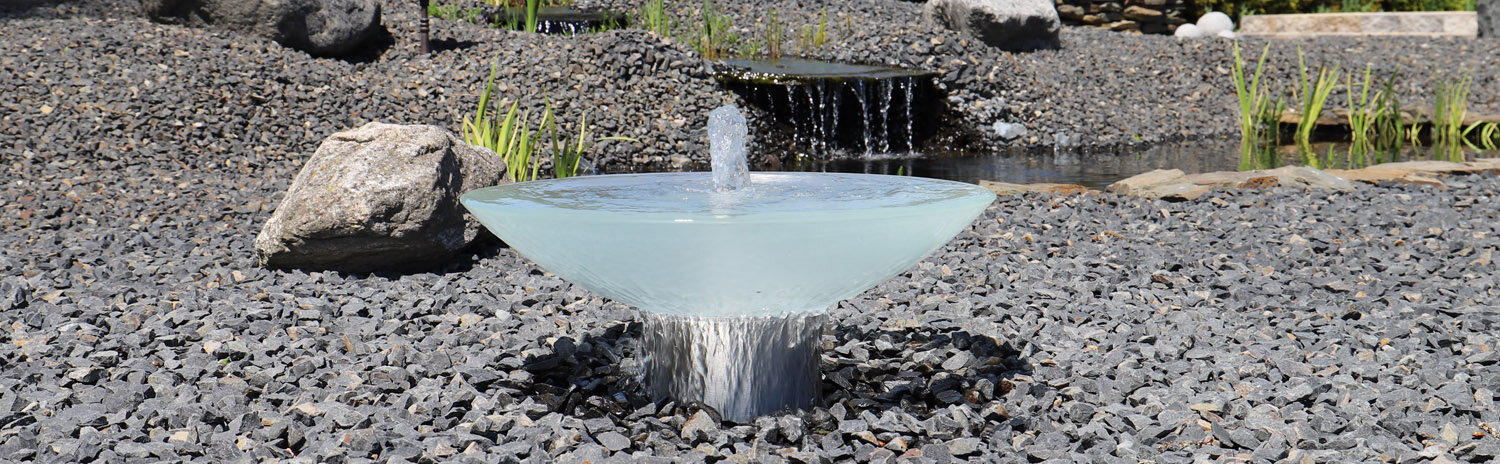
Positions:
(1007, 25)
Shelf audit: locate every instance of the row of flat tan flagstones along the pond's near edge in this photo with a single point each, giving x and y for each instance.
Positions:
(1177, 185)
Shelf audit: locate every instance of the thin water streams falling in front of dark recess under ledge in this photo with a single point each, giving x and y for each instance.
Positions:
(836, 110)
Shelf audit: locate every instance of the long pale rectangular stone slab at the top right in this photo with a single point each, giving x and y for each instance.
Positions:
(1427, 25)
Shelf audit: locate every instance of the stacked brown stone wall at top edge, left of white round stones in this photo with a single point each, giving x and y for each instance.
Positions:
(1154, 17)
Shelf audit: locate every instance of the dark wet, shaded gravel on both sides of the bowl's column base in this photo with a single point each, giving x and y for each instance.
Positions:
(917, 372)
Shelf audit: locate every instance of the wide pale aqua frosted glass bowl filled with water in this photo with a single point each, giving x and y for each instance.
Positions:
(793, 243)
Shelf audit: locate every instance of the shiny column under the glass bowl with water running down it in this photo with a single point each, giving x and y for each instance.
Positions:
(742, 367)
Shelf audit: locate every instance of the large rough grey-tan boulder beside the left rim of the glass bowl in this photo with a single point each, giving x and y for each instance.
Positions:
(382, 197)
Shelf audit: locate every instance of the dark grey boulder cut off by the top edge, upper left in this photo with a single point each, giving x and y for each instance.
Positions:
(320, 28)
